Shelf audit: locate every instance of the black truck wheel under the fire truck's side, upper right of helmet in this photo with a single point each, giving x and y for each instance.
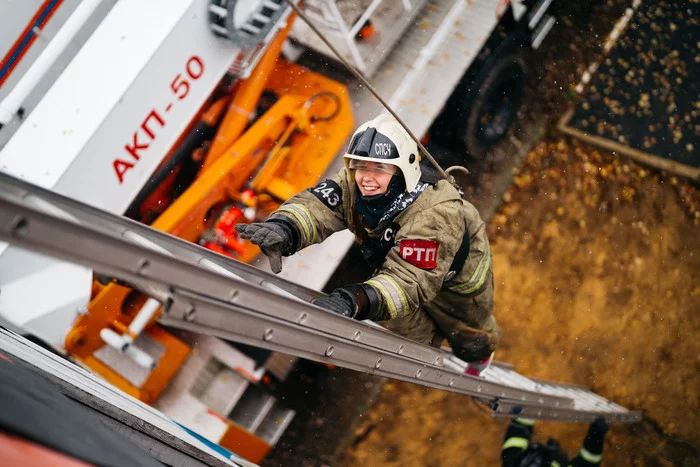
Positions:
(491, 104)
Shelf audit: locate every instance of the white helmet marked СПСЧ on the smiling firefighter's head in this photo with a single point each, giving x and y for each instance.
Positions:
(384, 140)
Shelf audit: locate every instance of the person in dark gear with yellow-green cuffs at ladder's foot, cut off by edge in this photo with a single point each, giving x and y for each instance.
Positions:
(519, 450)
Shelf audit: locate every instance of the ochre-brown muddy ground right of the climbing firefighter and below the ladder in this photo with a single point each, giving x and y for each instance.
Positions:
(597, 266)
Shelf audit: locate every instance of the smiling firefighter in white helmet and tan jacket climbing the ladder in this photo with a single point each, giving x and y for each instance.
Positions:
(433, 275)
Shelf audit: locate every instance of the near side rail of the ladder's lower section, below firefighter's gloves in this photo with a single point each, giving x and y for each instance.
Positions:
(229, 322)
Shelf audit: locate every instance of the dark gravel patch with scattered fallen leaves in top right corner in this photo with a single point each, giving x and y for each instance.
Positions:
(645, 94)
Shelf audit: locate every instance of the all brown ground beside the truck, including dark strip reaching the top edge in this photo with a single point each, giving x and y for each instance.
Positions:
(597, 264)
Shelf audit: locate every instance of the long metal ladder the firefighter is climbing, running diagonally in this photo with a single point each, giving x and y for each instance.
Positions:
(207, 293)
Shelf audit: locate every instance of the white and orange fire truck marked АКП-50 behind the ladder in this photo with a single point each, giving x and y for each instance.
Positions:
(192, 116)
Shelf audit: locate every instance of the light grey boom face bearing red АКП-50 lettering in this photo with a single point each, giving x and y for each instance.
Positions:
(151, 91)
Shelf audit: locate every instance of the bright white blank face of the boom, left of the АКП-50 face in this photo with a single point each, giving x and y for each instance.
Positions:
(87, 91)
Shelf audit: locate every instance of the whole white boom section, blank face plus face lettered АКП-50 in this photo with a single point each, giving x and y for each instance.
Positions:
(94, 109)
